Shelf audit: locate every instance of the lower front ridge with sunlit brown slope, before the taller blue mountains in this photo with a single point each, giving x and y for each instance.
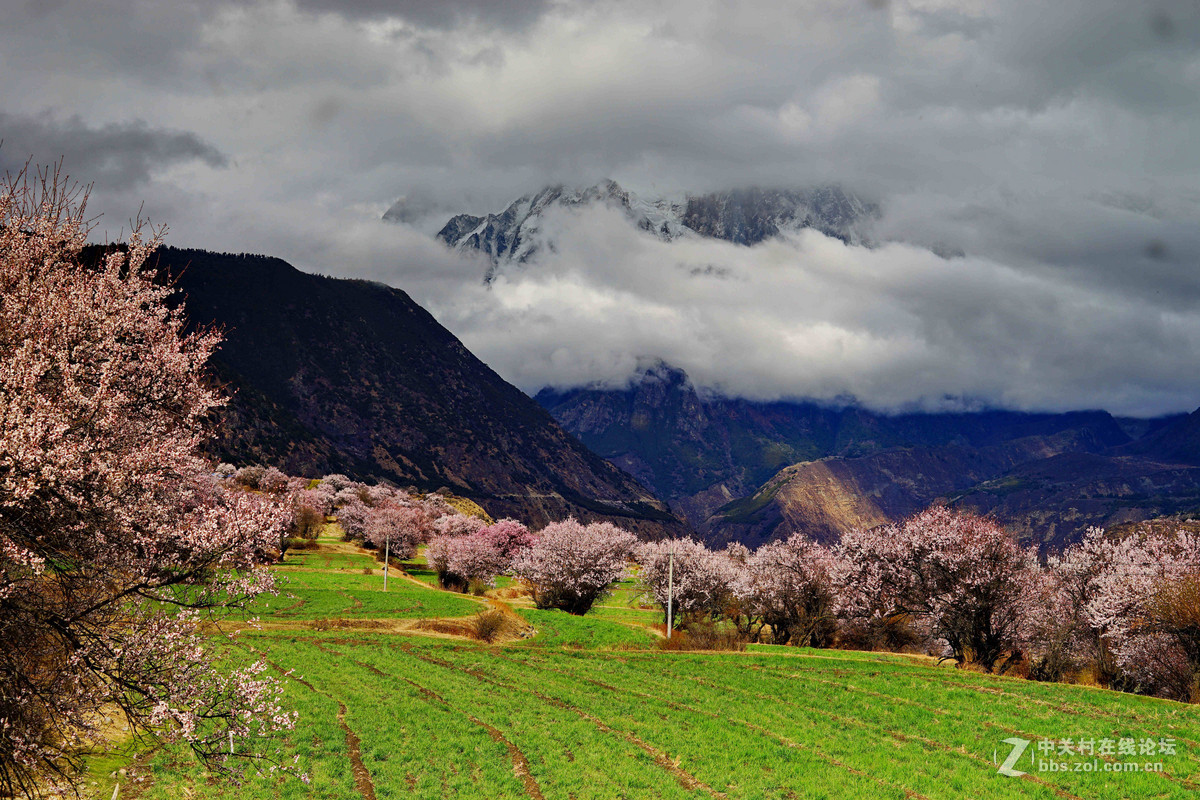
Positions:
(829, 497)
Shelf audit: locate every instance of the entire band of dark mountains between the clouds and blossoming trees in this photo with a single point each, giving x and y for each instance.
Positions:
(355, 377)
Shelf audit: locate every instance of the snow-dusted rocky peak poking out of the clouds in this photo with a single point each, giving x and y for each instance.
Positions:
(745, 218)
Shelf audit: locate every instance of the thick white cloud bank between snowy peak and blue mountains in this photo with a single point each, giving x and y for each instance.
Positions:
(812, 317)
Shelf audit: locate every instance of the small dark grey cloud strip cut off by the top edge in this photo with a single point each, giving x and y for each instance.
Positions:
(436, 14)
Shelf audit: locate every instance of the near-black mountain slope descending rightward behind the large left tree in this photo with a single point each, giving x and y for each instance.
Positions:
(355, 377)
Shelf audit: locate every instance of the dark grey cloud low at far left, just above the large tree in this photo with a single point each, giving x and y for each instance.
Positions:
(115, 157)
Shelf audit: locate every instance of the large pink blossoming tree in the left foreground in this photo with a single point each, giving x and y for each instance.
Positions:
(110, 520)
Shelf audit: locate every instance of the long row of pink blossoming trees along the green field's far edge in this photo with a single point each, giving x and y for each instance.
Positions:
(951, 584)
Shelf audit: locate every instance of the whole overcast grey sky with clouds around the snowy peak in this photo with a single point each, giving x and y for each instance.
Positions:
(1054, 143)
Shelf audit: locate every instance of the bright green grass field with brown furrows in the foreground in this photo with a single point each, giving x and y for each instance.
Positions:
(590, 708)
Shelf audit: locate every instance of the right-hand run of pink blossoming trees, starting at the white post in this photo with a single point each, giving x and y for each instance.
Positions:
(957, 585)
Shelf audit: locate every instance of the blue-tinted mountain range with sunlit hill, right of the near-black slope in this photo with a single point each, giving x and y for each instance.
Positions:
(754, 472)
